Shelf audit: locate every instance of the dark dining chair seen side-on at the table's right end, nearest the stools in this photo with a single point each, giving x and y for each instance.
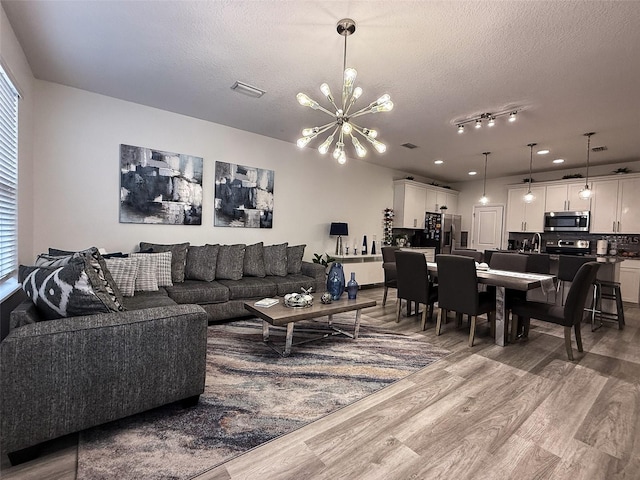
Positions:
(569, 315)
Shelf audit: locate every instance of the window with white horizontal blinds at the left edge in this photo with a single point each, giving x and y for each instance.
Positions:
(8, 177)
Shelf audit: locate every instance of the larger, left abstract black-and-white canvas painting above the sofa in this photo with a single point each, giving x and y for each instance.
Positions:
(160, 187)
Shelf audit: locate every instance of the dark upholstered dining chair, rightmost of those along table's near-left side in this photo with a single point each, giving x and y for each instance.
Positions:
(458, 292)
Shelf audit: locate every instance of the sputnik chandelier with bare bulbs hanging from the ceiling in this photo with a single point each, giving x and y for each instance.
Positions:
(342, 123)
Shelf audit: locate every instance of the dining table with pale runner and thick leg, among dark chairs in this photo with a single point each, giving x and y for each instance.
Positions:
(502, 280)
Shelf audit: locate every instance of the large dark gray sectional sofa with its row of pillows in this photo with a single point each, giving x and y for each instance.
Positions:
(103, 338)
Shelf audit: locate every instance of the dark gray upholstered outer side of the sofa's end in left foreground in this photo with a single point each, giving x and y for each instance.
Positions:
(62, 376)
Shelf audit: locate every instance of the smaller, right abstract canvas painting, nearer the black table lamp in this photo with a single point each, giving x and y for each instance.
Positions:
(243, 196)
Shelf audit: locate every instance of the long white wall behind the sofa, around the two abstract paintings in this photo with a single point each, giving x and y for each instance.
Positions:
(76, 199)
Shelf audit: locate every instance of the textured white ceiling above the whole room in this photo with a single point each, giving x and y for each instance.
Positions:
(573, 66)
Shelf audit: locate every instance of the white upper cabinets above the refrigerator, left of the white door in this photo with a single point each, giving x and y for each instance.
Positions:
(412, 199)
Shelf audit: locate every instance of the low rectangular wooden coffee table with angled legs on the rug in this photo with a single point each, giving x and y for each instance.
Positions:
(280, 316)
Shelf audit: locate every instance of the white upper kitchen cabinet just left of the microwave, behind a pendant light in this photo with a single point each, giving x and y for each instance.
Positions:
(525, 217)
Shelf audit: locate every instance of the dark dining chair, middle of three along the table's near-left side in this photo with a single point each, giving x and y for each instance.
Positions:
(413, 284)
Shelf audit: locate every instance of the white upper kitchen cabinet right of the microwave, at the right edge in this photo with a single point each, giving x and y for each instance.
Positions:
(614, 206)
